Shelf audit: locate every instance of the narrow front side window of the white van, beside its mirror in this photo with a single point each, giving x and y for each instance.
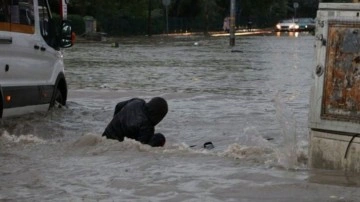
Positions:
(47, 25)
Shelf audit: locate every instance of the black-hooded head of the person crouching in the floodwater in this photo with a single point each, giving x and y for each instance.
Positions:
(157, 108)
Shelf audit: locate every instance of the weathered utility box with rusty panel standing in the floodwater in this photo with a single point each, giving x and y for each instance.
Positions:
(334, 117)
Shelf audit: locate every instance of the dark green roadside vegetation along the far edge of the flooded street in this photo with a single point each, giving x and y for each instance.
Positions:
(146, 17)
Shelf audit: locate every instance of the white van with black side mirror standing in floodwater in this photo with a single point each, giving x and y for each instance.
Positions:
(31, 64)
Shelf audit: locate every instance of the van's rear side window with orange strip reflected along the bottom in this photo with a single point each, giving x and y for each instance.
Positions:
(17, 16)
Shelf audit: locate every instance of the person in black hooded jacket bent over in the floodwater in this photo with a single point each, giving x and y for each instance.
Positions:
(137, 119)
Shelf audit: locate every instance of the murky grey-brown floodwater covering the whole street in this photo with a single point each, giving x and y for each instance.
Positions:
(252, 104)
